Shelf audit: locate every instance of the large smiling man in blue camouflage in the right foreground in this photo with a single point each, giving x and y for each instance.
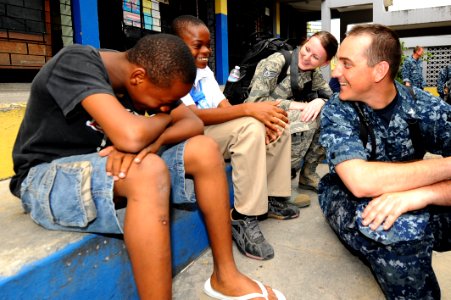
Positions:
(389, 207)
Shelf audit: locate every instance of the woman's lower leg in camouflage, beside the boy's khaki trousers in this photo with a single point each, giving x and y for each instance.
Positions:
(308, 178)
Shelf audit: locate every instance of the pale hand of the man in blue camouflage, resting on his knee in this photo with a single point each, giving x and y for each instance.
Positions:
(387, 208)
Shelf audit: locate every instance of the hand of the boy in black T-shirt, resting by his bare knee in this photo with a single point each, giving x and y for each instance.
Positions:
(118, 162)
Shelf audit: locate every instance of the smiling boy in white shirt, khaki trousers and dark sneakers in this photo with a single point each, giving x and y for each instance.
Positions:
(253, 136)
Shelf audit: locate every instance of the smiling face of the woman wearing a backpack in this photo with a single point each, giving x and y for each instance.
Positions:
(312, 55)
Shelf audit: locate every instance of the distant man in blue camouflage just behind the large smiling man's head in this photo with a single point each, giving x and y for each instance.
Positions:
(412, 69)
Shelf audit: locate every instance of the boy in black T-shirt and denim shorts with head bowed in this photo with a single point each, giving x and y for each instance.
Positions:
(86, 147)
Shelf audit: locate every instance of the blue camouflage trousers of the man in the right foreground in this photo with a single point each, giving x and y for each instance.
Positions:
(402, 267)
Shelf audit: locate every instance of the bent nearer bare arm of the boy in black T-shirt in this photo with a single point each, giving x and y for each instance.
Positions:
(128, 132)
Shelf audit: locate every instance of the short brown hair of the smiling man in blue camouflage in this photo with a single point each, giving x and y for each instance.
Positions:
(385, 45)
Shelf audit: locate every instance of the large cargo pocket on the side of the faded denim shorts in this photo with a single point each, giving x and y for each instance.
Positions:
(70, 198)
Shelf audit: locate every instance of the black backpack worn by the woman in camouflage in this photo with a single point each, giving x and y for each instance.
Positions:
(260, 48)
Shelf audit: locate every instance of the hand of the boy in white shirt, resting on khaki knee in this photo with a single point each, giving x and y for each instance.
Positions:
(269, 114)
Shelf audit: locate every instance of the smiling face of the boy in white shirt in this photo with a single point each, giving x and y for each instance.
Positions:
(197, 38)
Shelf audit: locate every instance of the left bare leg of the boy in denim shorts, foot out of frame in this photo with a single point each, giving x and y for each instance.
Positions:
(146, 228)
